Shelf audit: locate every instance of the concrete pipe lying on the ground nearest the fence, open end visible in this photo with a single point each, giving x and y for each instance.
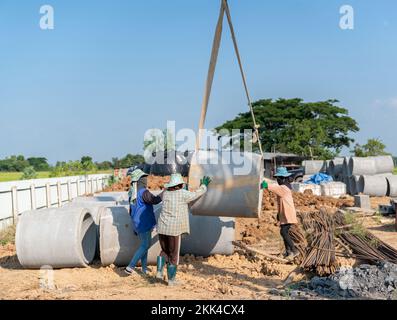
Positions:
(60, 238)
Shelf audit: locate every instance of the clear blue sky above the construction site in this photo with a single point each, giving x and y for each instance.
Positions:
(110, 70)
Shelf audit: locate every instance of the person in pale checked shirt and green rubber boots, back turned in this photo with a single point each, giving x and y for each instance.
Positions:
(174, 222)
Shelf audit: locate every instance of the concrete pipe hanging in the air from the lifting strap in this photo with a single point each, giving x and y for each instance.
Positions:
(235, 189)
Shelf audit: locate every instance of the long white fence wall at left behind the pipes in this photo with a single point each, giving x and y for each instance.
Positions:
(17, 197)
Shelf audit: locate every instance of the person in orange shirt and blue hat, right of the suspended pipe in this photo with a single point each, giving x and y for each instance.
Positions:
(286, 209)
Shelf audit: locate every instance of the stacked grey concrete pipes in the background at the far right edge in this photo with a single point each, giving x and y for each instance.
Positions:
(372, 176)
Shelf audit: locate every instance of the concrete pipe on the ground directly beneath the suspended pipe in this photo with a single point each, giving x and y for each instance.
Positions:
(209, 236)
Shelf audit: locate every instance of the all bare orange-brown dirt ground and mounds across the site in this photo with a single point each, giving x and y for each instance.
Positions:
(240, 276)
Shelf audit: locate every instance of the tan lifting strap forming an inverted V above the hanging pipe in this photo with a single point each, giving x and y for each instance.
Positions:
(211, 72)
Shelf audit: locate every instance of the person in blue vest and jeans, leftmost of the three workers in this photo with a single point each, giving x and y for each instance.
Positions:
(143, 219)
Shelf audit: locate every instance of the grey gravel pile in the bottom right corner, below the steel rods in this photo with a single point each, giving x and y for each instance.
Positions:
(365, 281)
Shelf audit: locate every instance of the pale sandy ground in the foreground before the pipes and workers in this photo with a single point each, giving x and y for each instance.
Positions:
(219, 277)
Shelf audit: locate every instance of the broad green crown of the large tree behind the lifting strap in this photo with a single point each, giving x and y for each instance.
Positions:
(319, 128)
